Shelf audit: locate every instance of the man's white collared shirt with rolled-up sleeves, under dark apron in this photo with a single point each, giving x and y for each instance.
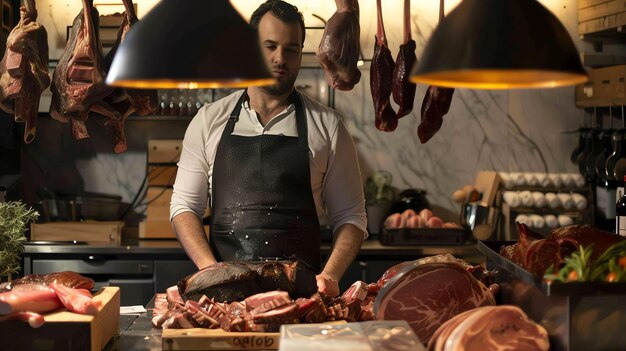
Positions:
(335, 175)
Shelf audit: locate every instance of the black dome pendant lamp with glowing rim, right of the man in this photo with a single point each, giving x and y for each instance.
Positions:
(499, 44)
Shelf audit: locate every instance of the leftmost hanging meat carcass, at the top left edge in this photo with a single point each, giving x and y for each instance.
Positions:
(24, 70)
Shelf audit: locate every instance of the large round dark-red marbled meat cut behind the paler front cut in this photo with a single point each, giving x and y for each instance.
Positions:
(429, 294)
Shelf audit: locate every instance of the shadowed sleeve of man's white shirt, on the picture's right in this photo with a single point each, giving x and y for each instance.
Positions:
(342, 189)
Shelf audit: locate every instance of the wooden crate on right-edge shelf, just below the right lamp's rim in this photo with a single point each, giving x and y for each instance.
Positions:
(606, 87)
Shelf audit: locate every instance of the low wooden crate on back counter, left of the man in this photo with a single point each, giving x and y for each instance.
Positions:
(89, 231)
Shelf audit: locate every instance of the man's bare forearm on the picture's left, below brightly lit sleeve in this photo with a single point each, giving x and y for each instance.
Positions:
(190, 234)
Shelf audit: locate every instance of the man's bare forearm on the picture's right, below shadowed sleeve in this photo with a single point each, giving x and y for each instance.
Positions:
(346, 246)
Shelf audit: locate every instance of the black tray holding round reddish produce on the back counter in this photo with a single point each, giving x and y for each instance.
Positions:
(423, 236)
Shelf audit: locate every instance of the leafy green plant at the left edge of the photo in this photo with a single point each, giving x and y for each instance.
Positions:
(14, 217)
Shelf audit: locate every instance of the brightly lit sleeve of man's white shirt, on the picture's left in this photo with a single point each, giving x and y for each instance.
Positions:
(191, 187)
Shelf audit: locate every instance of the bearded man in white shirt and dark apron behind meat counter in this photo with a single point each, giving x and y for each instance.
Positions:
(274, 162)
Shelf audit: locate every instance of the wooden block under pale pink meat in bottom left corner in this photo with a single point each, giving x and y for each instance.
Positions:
(65, 330)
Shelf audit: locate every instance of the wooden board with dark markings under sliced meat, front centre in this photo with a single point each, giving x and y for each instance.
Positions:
(218, 339)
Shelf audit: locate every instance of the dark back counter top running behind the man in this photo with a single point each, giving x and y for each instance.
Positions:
(172, 247)
